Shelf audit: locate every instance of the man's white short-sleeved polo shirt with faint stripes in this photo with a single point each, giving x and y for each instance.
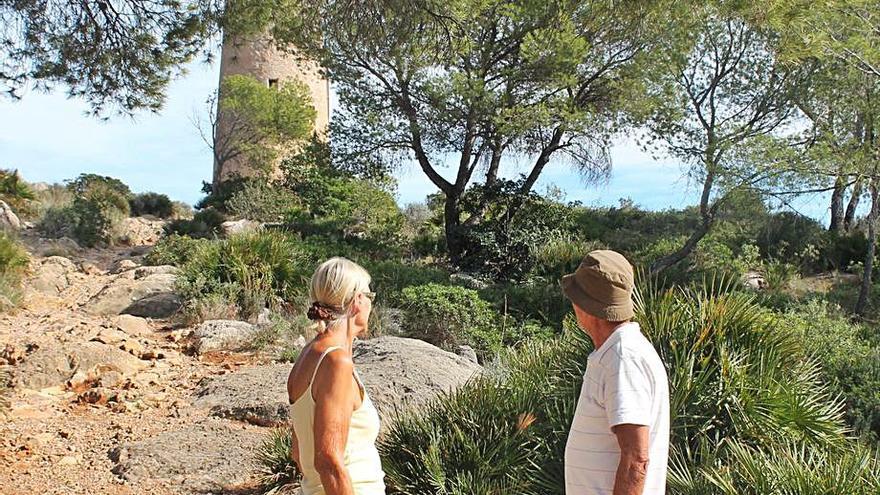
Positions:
(624, 383)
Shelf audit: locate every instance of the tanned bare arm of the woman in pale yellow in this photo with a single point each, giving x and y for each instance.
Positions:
(334, 404)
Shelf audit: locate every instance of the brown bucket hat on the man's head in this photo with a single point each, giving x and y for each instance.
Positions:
(602, 286)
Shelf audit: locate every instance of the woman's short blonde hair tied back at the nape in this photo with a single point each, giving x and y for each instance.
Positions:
(334, 286)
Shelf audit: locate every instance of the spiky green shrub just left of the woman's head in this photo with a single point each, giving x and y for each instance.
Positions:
(248, 271)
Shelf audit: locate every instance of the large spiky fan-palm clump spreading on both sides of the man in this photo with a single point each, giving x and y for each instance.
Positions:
(736, 376)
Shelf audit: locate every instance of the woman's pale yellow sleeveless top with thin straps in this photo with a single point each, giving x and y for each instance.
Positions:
(361, 458)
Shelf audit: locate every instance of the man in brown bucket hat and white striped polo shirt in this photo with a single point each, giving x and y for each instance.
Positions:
(619, 439)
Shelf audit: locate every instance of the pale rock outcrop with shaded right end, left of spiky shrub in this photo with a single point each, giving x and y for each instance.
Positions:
(125, 295)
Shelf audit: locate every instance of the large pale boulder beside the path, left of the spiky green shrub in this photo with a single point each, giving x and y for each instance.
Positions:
(123, 293)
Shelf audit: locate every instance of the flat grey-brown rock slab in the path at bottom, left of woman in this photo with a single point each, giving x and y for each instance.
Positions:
(204, 457)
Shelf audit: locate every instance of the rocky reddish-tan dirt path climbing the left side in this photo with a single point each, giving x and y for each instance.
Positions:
(53, 441)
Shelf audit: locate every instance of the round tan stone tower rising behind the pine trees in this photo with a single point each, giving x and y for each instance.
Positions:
(261, 59)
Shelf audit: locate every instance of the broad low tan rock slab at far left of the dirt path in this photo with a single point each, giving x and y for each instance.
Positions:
(52, 366)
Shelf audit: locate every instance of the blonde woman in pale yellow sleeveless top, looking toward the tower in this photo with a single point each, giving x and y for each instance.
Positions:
(334, 423)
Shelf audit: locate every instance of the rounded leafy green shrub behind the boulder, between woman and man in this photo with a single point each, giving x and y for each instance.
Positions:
(447, 316)
